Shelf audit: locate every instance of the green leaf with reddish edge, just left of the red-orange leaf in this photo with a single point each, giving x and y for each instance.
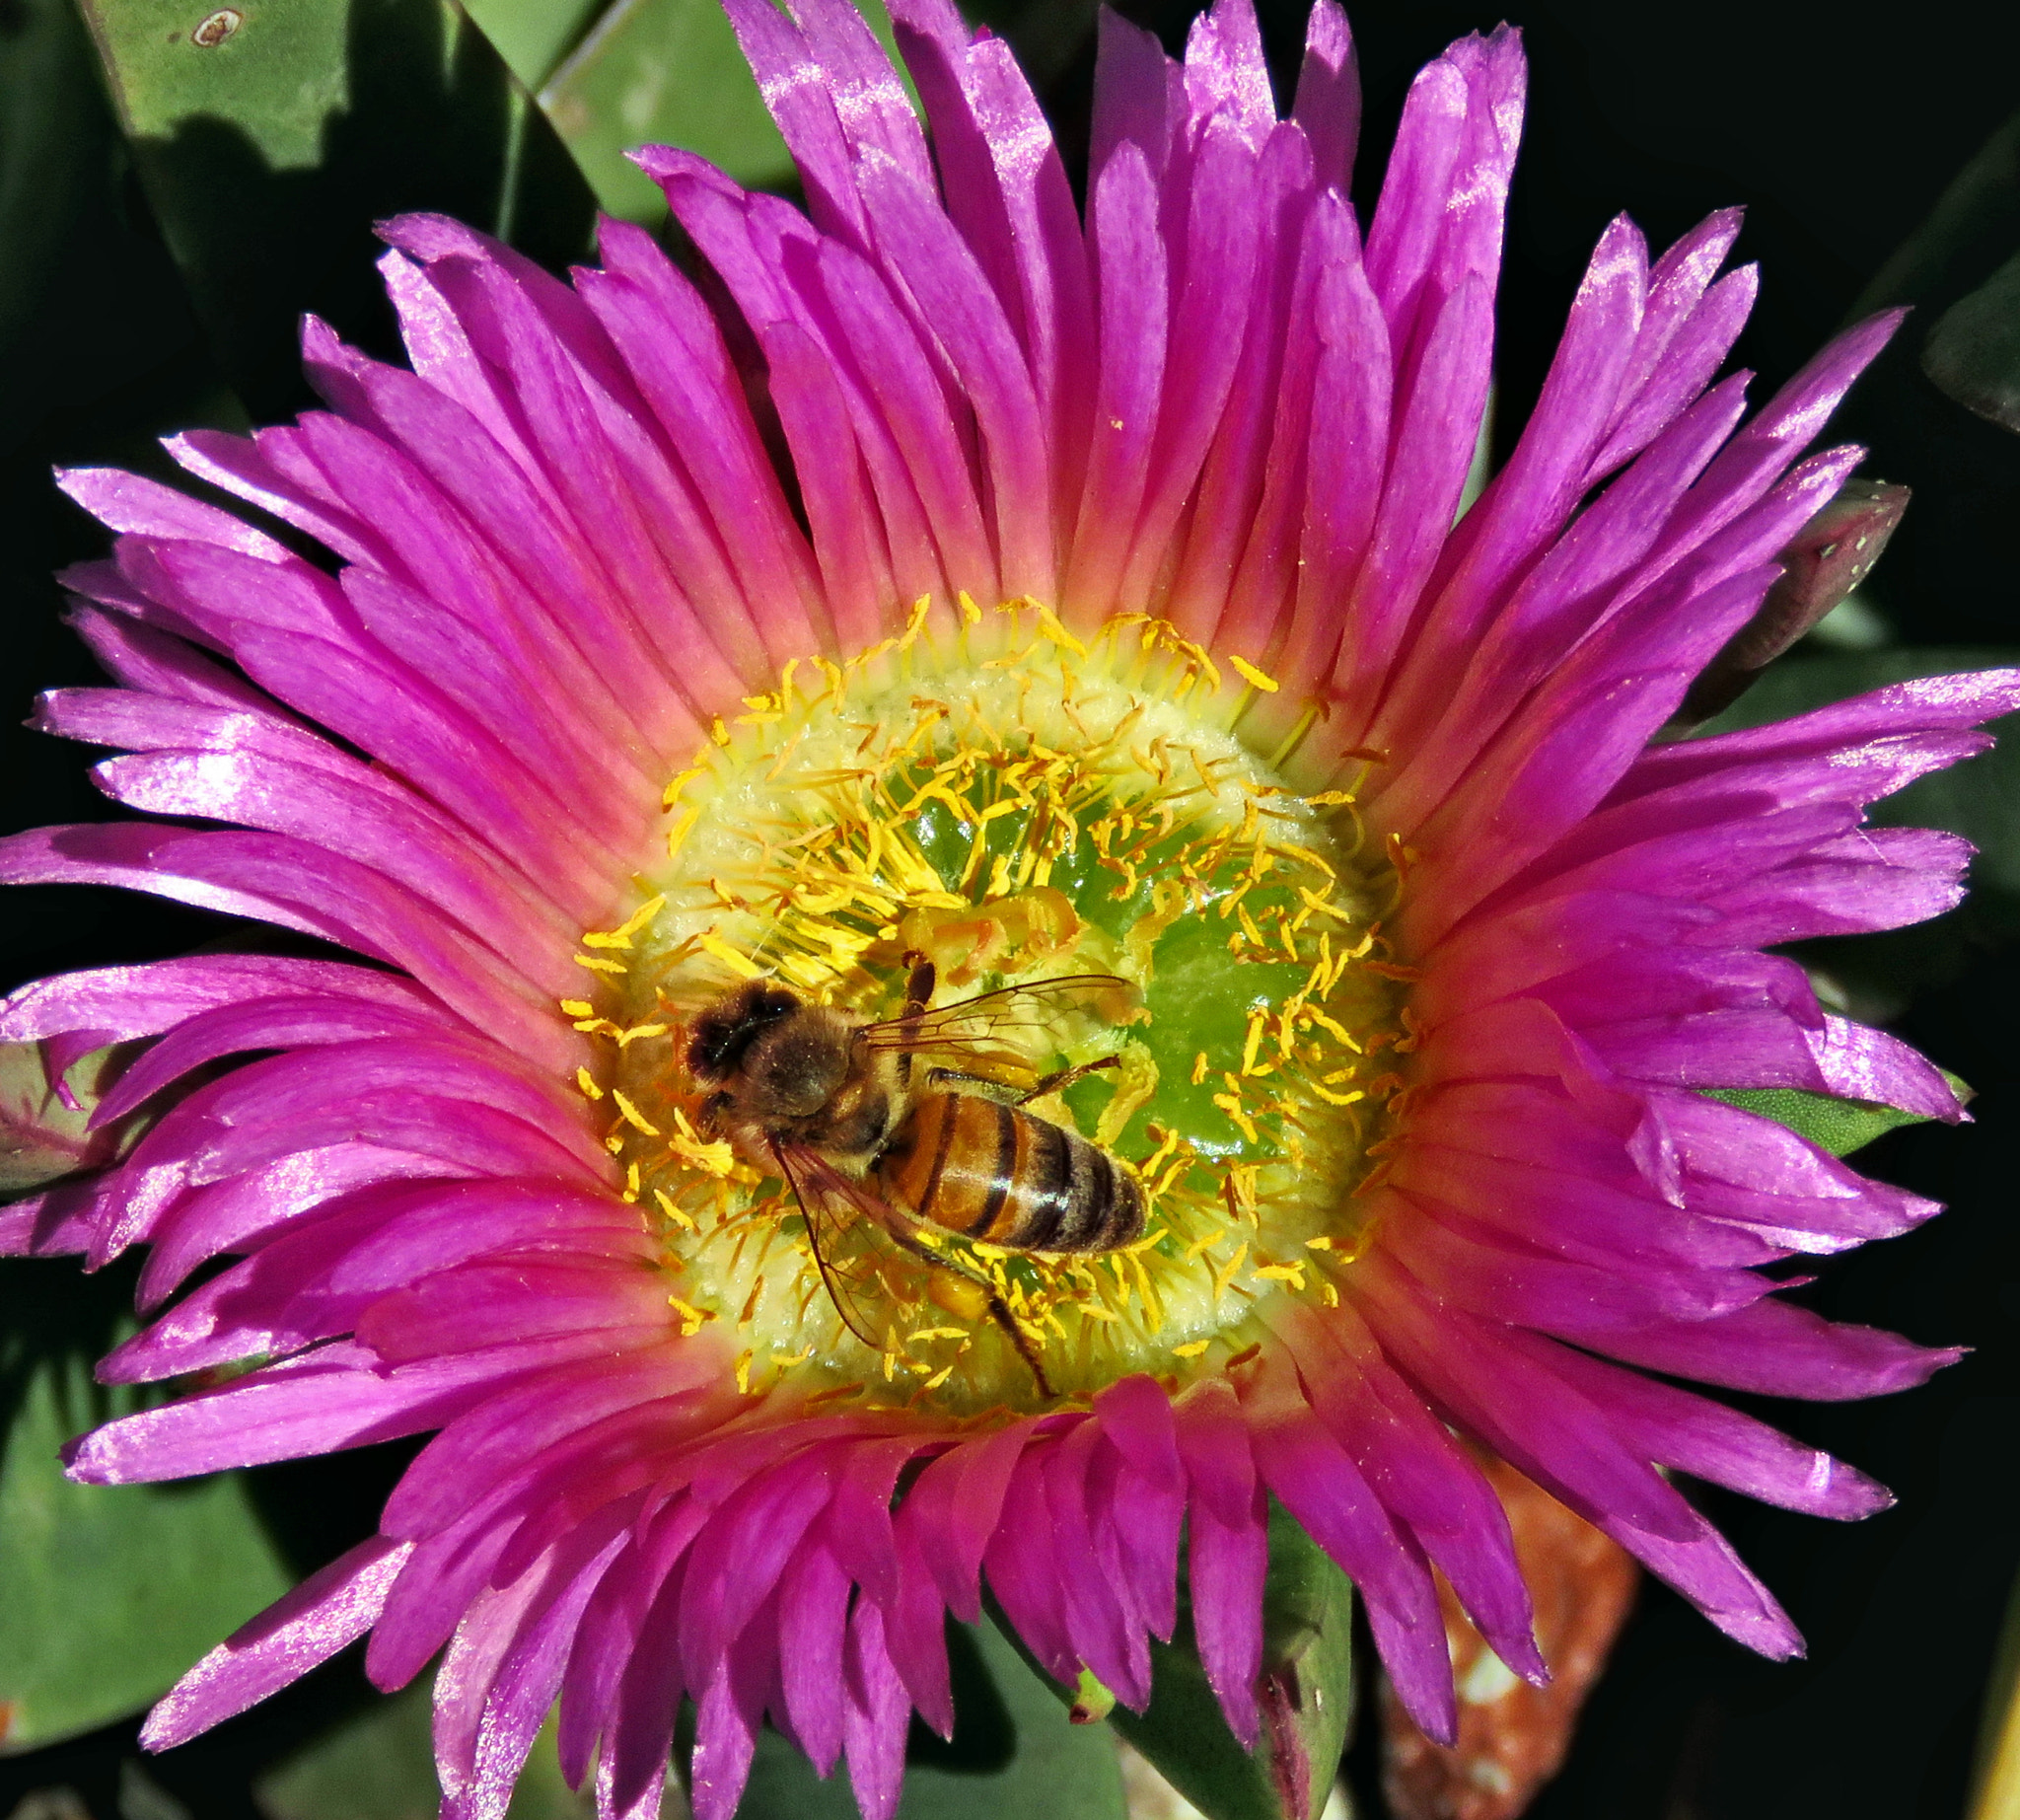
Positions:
(1306, 1686)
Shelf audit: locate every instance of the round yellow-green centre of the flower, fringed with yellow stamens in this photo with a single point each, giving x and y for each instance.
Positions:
(866, 1189)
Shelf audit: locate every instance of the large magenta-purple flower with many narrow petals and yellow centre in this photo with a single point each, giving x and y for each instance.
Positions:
(954, 579)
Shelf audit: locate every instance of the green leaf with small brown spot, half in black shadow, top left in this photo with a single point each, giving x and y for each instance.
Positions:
(272, 134)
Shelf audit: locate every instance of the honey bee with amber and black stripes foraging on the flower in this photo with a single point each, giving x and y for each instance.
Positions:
(902, 1124)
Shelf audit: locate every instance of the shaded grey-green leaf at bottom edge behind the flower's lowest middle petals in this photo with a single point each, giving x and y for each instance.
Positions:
(1013, 1754)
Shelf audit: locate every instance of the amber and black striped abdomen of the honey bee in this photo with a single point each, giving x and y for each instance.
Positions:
(1003, 1177)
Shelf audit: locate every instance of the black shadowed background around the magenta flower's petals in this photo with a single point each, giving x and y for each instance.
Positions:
(1837, 128)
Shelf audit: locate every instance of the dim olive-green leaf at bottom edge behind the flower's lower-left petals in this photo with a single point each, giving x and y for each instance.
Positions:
(381, 1766)
